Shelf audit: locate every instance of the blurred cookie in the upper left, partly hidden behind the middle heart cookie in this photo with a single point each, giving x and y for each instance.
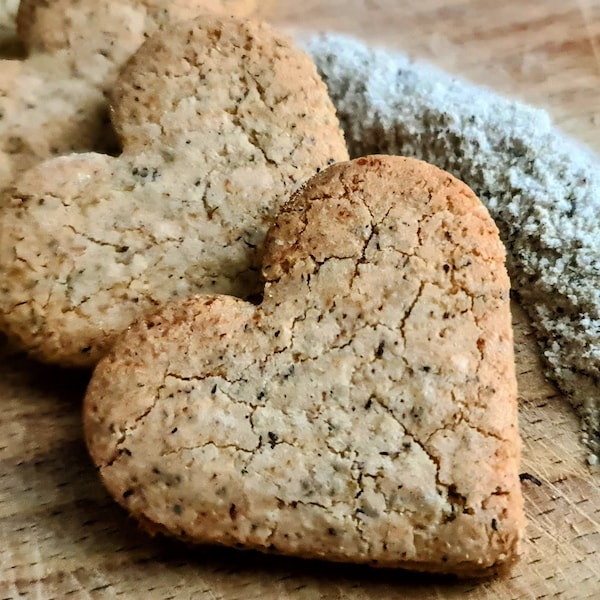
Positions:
(54, 101)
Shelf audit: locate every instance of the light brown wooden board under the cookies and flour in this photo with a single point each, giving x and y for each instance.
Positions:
(61, 536)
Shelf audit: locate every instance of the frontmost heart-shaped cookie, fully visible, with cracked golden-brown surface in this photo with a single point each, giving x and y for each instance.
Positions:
(365, 411)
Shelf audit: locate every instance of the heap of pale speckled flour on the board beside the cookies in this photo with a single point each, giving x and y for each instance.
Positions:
(542, 189)
